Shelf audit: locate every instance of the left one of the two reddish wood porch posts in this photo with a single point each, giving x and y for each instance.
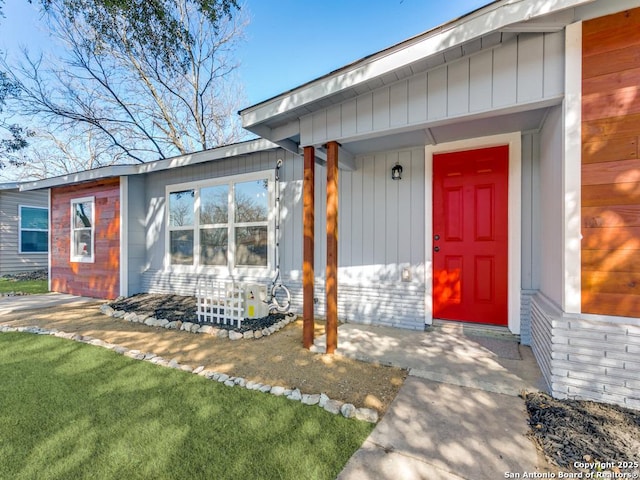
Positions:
(308, 246)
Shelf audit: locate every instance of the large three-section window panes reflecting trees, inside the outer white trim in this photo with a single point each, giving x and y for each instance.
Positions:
(221, 223)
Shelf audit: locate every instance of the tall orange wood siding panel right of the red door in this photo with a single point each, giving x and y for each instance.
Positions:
(611, 165)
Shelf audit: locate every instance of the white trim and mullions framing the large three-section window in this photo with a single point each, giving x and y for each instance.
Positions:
(230, 269)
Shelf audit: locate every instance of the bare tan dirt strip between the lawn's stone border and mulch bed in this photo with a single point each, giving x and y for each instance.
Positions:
(277, 359)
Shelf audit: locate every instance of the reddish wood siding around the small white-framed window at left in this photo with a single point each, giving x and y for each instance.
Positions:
(100, 279)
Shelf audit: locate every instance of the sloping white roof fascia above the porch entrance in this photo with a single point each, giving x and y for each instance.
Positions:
(494, 17)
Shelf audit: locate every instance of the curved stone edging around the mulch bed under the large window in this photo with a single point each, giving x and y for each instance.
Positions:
(133, 317)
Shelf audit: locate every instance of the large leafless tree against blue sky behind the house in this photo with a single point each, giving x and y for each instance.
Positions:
(133, 105)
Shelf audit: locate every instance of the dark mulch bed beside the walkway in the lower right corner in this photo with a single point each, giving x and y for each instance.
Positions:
(570, 431)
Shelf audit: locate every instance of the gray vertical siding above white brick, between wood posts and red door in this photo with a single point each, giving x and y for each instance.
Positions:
(380, 221)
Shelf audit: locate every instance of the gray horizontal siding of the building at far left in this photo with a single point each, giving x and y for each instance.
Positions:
(11, 260)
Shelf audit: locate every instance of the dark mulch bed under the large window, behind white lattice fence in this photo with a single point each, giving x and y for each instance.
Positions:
(183, 308)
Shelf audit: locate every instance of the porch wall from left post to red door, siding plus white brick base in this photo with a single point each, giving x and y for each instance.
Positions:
(380, 232)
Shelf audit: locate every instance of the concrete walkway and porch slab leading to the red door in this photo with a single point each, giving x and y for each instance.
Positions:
(458, 414)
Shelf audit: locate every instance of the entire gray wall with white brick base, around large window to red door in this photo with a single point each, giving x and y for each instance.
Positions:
(381, 230)
